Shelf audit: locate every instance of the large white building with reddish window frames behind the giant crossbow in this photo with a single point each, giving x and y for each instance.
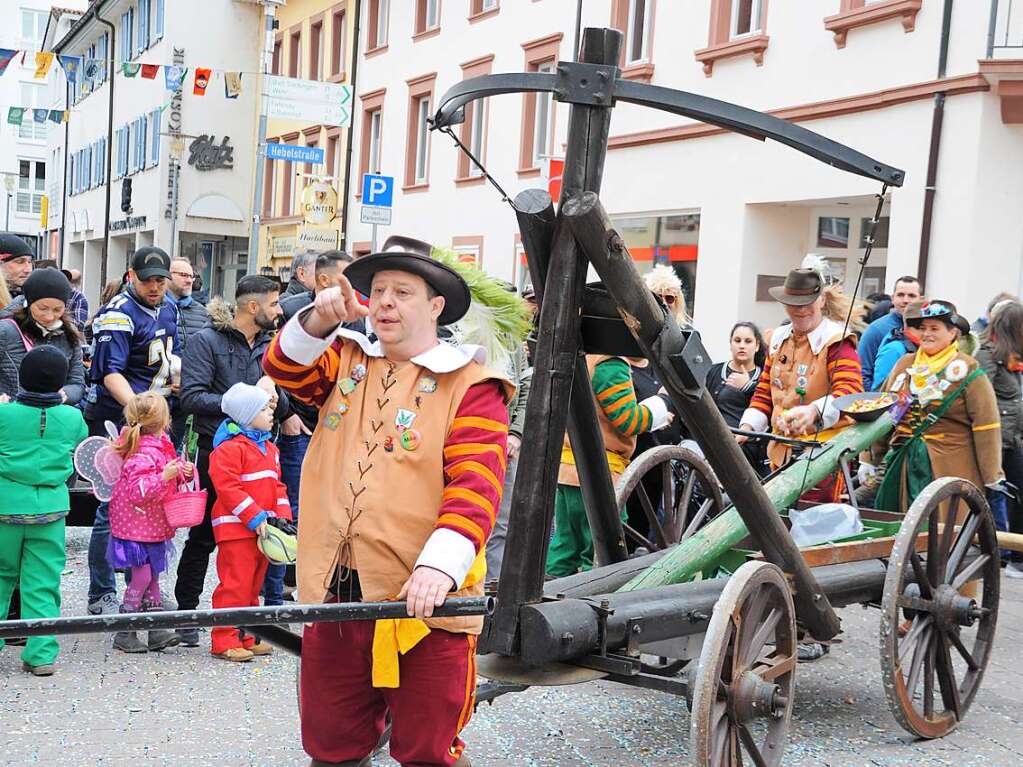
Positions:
(732, 215)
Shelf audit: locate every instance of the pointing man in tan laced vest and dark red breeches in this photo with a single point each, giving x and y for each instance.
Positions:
(399, 490)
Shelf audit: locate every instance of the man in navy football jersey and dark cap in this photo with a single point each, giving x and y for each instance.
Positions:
(134, 343)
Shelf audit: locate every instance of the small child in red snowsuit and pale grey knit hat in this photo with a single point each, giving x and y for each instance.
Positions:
(245, 469)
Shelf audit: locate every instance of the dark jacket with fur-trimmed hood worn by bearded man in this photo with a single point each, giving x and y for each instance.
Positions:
(218, 358)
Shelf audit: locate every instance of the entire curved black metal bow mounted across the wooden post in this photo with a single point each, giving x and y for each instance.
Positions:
(711, 111)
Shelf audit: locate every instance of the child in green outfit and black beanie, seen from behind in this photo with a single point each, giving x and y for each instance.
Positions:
(38, 437)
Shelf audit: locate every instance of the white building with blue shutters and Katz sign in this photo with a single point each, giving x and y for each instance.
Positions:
(189, 159)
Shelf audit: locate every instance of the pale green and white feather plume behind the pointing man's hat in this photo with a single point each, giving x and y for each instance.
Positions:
(498, 320)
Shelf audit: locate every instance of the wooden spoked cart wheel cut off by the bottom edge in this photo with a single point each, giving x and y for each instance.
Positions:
(743, 691)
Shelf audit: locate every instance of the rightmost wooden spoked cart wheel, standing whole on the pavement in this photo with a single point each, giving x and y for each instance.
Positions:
(932, 625)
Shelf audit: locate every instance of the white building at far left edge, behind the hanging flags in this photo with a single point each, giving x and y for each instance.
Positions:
(24, 175)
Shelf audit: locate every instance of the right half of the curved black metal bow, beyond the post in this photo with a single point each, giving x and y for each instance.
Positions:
(758, 125)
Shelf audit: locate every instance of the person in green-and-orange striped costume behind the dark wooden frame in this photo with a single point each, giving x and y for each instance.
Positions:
(621, 418)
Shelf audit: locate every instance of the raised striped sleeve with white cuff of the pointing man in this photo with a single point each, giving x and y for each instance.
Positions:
(303, 367)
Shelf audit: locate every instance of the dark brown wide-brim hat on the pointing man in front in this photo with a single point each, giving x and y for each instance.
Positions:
(413, 256)
